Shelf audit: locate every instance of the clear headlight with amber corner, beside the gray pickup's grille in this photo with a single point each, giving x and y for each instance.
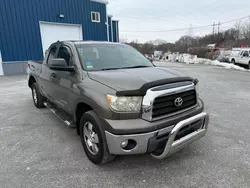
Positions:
(125, 104)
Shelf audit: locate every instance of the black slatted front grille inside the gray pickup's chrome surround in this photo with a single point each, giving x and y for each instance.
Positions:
(165, 105)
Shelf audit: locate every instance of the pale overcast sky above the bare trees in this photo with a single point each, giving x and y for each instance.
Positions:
(155, 15)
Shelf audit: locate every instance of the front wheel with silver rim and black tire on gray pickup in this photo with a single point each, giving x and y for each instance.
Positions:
(93, 139)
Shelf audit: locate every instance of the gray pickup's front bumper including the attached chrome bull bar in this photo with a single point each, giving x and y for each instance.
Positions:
(173, 138)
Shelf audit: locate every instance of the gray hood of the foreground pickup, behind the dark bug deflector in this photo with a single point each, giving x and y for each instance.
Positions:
(132, 79)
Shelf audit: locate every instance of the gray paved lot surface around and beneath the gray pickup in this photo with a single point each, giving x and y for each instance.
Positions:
(37, 150)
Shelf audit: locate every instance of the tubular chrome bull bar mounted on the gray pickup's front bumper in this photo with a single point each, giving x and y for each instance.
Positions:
(173, 146)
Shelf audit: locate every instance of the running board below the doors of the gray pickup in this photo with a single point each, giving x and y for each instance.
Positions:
(60, 114)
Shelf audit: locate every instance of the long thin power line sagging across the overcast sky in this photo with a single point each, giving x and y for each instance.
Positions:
(181, 29)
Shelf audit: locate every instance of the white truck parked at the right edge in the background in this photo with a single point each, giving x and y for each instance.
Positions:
(240, 56)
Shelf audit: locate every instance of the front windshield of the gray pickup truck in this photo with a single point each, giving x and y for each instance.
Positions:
(95, 57)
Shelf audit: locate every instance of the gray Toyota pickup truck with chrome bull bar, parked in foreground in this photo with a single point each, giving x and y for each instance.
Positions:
(118, 101)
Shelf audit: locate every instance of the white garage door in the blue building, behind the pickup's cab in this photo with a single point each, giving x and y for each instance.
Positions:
(52, 32)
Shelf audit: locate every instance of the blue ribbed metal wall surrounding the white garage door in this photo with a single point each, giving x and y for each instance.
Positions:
(20, 38)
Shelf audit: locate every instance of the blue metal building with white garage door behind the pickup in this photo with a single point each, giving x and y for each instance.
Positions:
(28, 26)
